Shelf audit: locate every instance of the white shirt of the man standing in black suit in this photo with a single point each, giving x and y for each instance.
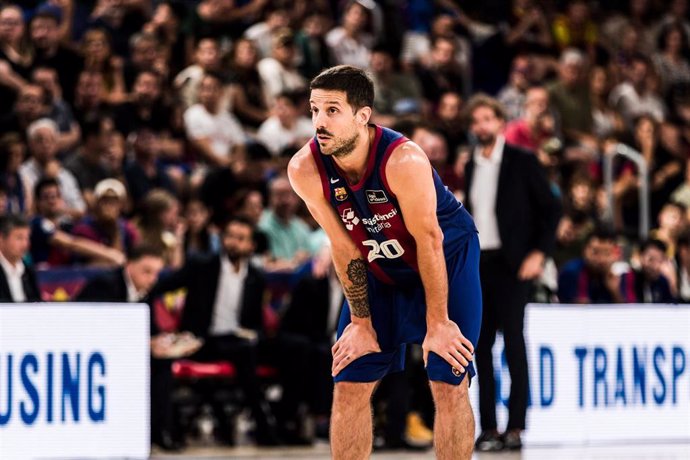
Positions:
(483, 194)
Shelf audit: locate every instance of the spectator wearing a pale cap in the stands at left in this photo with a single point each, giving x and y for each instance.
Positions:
(106, 224)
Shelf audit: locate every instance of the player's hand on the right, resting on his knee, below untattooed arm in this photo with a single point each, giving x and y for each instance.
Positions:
(446, 340)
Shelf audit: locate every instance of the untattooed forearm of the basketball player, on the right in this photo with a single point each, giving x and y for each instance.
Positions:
(432, 270)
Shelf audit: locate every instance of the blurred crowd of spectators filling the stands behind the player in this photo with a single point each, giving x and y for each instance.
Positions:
(130, 124)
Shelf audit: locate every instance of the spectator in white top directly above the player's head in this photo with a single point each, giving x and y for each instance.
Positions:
(351, 43)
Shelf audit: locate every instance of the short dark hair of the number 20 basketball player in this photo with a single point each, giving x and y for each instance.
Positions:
(358, 87)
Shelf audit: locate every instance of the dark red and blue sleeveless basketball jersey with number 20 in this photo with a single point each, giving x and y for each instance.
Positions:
(370, 212)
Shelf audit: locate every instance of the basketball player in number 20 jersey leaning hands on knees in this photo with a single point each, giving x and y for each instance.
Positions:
(406, 253)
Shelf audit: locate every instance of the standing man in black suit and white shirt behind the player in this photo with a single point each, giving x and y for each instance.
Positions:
(516, 214)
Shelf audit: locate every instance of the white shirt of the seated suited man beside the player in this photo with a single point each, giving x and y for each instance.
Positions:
(226, 308)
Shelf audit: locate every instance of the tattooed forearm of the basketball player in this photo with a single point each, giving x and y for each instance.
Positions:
(352, 272)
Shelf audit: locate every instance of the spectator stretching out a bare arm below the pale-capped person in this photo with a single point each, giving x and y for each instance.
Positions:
(52, 242)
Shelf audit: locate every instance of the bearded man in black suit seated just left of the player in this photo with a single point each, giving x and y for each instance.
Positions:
(225, 295)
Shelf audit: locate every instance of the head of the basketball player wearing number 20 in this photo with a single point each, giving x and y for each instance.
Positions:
(341, 100)
